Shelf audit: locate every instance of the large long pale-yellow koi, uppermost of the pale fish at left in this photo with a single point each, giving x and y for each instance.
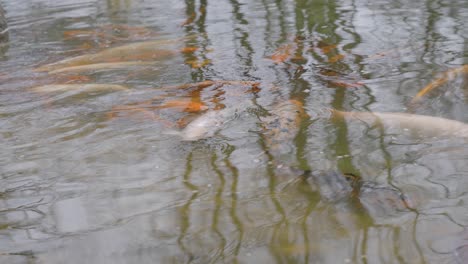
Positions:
(145, 51)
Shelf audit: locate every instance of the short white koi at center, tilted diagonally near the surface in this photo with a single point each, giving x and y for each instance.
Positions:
(207, 124)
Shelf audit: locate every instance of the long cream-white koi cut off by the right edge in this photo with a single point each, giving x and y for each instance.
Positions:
(421, 124)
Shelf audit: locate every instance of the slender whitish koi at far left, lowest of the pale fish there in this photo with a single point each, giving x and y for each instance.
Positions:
(91, 87)
